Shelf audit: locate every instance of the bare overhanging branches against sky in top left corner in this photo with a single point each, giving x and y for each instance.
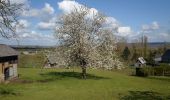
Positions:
(8, 17)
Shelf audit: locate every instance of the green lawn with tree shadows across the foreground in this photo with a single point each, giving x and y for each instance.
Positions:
(66, 84)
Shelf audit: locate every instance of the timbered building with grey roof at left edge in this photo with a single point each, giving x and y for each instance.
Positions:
(8, 63)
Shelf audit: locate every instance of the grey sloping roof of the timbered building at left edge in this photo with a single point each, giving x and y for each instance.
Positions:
(7, 51)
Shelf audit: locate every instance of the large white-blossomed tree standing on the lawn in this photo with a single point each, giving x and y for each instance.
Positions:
(85, 41)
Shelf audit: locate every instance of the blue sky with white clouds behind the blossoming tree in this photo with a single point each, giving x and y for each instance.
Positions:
(133, 18)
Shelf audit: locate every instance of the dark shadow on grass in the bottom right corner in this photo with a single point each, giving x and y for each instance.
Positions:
(144, 95)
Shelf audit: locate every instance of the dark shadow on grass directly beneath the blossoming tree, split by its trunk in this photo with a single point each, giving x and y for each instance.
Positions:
(77, 75)
